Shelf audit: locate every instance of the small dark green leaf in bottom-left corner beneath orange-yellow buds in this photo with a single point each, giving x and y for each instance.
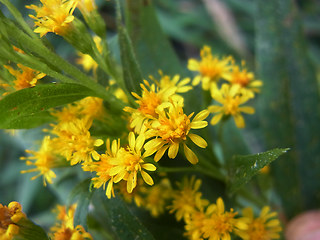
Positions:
(29, 230)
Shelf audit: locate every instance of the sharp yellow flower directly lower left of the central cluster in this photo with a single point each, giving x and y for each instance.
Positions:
(129, 161)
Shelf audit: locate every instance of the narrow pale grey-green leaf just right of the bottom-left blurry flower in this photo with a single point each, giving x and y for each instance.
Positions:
(82, 195)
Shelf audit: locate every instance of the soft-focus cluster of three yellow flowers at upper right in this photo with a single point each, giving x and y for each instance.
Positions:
(239, 85)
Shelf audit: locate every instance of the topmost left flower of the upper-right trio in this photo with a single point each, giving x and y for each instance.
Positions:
(211, 69)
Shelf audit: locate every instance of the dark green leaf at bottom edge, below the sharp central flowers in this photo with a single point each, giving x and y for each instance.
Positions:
(124, 224)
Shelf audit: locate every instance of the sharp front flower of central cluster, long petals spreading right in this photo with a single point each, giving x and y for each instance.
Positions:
(172, 129)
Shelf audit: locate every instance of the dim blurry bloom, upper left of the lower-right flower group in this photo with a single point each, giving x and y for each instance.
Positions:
(187, 199)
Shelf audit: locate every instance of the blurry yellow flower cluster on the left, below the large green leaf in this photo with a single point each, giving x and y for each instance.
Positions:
(69, 140)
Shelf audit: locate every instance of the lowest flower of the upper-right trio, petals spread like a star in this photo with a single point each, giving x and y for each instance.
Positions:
(230, 98)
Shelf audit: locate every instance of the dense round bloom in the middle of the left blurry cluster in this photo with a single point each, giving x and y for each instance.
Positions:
(74, 141)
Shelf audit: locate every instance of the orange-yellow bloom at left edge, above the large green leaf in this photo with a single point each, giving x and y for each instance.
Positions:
(25, 77)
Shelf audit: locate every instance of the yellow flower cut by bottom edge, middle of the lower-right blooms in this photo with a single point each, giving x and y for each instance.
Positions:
(220, 223)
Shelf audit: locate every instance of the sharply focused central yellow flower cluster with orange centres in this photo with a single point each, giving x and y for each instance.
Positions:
(161, 118)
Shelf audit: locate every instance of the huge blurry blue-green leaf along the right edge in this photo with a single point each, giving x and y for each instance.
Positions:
(290, 103)
